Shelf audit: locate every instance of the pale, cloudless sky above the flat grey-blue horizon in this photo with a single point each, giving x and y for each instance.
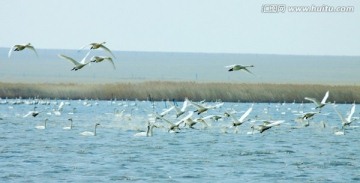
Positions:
(228, 26)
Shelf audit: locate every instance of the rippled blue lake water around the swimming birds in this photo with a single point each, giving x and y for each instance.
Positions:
(287, 153)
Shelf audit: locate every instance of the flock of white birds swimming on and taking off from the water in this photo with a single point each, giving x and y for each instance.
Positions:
(174, 118)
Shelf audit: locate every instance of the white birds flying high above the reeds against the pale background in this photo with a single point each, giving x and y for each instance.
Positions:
(80, 64)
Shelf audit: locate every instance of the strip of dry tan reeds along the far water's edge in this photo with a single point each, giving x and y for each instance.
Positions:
(163, 90)
